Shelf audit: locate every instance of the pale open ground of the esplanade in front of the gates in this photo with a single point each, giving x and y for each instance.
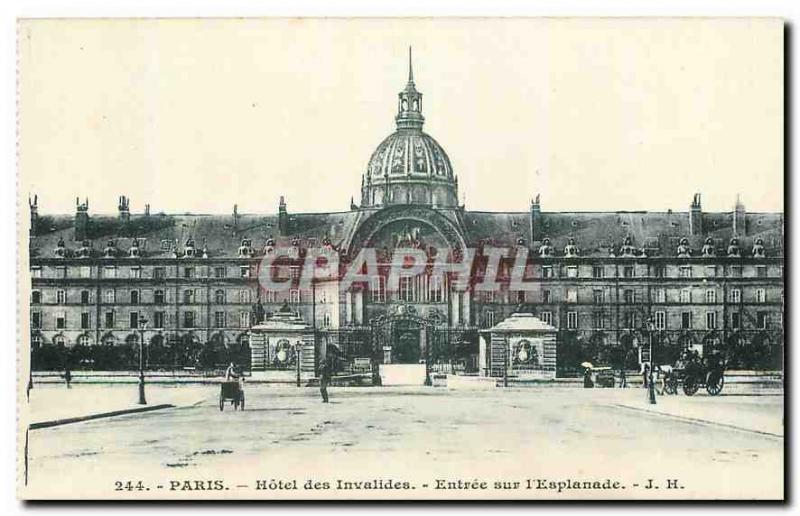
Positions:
(723, 447)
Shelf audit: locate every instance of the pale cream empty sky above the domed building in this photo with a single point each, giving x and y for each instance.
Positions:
(592, 114)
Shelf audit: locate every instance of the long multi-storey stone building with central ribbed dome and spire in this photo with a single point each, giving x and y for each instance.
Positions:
(710, 279)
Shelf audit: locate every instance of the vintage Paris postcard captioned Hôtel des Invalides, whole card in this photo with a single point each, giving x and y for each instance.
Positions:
(401, 259)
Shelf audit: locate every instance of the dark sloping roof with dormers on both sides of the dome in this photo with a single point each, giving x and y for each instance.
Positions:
(595, 233)
